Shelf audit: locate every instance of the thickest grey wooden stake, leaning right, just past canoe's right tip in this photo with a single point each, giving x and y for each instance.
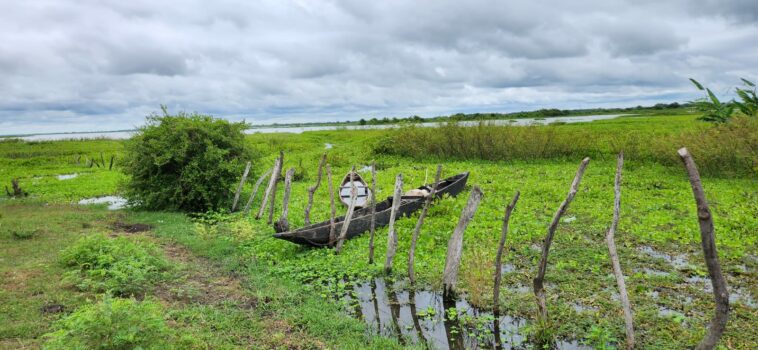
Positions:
(455, 245)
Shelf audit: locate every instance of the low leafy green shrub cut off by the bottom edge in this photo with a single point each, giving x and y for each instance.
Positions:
(112, 323)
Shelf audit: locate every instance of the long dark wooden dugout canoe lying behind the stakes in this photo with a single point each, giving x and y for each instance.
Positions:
(317, 235)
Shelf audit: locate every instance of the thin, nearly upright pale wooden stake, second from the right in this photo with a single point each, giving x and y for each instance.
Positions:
(628, 319)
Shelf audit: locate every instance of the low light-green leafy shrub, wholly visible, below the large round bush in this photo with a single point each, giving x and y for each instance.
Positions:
(117, 265)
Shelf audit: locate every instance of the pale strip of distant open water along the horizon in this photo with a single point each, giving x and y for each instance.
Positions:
(118, 135)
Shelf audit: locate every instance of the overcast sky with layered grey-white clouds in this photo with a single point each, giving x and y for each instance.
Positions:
(101, 65)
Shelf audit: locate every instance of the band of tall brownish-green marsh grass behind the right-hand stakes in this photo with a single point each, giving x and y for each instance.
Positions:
(728, 149)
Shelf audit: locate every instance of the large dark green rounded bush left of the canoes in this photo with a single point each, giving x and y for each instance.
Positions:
(187, 162)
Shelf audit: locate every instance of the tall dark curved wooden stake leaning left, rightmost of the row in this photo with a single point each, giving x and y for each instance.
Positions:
(708, 241)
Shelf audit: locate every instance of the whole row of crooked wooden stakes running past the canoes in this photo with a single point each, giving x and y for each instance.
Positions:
(455, 244)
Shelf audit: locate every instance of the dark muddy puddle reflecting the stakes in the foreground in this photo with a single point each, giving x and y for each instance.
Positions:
(426, 317)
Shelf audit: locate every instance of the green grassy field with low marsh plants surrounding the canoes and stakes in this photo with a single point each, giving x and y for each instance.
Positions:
(287, 296)
